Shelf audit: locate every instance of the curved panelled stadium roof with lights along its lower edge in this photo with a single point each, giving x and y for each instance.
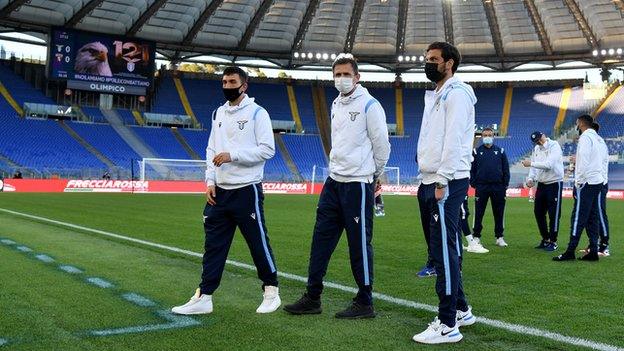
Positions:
(499, 34)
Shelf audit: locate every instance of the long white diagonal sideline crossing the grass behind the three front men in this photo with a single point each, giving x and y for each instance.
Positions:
(515, 328)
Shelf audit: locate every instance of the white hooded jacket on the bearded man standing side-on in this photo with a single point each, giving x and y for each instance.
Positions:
(447, 133)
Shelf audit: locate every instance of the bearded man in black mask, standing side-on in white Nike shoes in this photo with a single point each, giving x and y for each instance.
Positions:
(444, 156)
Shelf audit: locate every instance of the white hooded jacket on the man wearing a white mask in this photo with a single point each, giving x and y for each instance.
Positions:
(359, 137)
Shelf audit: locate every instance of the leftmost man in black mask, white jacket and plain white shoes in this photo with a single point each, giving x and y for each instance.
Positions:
(240, 142)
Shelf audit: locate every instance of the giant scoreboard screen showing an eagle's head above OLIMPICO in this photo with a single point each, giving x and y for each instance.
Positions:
(100, 62)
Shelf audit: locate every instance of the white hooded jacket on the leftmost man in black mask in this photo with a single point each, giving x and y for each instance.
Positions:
(245, 131)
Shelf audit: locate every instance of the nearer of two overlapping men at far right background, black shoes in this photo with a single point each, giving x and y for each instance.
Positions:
(589, 182)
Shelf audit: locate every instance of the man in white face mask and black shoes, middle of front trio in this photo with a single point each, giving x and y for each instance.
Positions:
(360, 150)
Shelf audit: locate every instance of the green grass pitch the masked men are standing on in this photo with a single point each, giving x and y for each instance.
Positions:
(45, 308)
